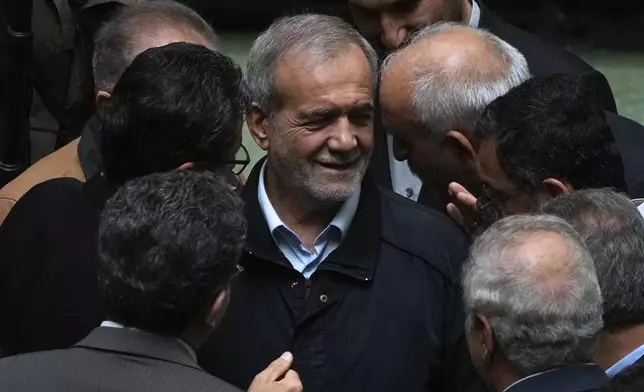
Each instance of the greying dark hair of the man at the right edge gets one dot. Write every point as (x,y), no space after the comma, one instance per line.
(613,230)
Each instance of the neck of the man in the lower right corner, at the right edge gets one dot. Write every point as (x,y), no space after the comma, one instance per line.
(612,346)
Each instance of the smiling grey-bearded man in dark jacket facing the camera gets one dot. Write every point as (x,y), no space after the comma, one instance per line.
(361,285)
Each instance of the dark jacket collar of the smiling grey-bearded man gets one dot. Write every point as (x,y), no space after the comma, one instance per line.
(359,251)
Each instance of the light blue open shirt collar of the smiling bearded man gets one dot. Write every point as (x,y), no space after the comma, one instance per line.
(303,260)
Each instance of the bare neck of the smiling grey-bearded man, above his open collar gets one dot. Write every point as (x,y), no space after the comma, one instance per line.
(303,214)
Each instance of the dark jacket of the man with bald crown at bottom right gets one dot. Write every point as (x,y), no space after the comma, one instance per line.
(574,378)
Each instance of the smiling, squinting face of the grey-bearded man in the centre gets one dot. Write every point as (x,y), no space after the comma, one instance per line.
(320,140)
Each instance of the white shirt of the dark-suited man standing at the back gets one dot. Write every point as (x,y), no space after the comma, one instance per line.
(403,181)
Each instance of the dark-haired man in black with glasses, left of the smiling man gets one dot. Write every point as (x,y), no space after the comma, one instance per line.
(178,106)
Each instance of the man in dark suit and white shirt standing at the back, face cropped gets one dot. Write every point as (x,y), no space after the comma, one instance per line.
(387,23)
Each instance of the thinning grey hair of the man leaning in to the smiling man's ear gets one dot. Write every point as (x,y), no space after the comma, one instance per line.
(446,99)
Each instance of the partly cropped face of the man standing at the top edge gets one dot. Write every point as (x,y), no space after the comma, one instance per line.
(388,22)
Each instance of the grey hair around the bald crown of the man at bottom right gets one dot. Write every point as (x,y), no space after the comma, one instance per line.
(535,325)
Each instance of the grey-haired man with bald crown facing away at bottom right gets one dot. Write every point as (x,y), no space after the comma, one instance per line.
(533,307)
